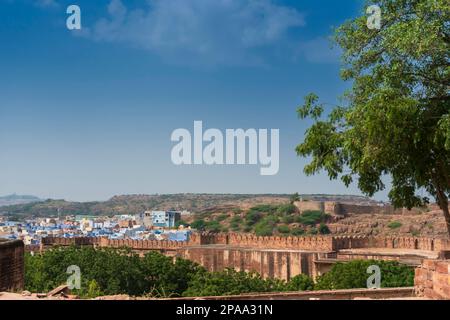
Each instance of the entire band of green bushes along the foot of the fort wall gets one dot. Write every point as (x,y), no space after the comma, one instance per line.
(110,271)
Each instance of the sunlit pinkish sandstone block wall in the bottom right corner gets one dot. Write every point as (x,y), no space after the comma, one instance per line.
(432,279)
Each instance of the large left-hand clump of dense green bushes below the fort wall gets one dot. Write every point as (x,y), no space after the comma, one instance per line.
(109,271)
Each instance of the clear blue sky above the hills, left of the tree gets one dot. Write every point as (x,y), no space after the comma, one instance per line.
(88,114)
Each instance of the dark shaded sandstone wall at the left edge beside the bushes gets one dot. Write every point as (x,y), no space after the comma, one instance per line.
(11,265)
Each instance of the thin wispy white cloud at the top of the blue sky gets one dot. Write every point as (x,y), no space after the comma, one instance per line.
(201,31)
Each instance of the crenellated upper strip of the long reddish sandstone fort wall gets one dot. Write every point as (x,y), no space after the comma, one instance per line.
(309,243)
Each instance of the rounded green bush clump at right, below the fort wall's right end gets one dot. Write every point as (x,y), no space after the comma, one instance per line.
(353,274)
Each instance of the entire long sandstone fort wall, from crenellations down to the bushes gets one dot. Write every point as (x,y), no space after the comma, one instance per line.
(277,257)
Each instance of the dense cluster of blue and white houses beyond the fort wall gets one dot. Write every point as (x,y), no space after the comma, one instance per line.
(153,225)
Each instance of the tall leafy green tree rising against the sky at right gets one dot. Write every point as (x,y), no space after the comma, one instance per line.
(395,118)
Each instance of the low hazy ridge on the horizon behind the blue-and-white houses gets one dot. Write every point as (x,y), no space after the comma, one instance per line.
(133,204)
